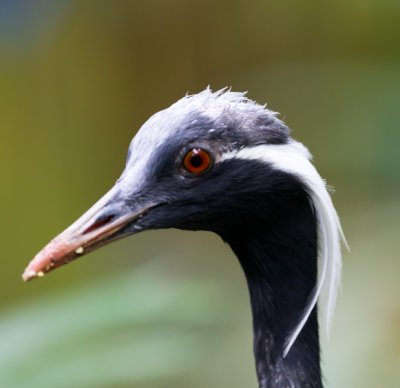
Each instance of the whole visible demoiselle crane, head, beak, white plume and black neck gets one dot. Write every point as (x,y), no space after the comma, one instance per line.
(218,161)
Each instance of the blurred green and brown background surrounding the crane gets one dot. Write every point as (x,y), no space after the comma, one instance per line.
(170,308)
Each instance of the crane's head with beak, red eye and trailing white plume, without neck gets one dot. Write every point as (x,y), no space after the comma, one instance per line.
(207,163)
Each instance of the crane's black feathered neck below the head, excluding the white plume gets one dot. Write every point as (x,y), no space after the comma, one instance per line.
(279,258)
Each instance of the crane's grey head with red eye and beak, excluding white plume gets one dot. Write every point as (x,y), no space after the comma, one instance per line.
(181,172)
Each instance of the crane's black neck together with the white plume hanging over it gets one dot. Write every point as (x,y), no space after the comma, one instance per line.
(291,257)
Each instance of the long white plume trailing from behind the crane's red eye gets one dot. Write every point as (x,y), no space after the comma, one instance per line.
(294,158)
